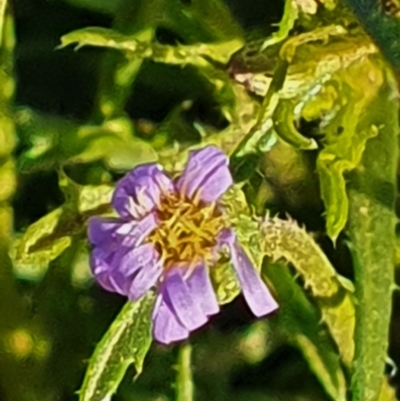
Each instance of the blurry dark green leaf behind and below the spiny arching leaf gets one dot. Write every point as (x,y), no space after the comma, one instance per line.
(299,320)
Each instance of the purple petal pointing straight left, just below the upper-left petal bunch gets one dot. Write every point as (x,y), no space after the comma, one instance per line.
(112,233)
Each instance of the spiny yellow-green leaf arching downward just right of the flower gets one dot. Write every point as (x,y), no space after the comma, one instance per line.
(285,240)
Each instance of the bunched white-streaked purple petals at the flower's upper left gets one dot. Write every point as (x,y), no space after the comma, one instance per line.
(139,191)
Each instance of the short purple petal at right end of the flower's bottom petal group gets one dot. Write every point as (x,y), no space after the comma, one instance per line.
(203,294)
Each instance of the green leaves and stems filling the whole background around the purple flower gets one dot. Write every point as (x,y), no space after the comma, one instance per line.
(312,134)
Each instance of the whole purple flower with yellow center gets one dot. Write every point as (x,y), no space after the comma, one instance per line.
(169,234)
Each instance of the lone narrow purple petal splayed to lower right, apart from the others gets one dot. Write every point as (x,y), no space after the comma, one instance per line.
(255,292)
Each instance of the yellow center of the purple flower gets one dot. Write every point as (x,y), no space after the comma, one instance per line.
(187,231)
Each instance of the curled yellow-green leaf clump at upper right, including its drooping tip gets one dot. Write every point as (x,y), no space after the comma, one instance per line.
(330,88)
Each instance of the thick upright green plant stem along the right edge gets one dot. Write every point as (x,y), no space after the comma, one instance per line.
(372,192)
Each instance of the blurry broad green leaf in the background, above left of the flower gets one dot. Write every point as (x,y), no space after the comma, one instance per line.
(53,142)
